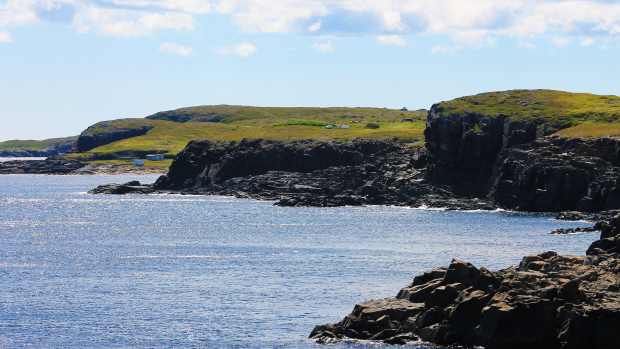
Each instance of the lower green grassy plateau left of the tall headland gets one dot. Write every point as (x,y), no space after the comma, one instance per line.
(285,124)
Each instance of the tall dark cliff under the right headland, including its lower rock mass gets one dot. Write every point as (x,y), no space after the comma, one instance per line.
(514,164)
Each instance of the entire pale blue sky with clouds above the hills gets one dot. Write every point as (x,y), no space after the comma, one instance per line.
(65,64)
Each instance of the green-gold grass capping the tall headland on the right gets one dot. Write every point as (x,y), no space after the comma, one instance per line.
(557,108)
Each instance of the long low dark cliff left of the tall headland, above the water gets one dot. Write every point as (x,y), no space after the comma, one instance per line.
(307,173)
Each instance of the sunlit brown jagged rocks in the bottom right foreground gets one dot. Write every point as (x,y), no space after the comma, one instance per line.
(548,301)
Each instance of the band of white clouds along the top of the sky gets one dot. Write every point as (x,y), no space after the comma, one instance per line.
(464,23)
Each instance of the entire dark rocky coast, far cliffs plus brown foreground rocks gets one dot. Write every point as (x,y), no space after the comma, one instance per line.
(469,162)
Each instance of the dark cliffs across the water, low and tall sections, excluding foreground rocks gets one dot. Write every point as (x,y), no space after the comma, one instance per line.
(469,162)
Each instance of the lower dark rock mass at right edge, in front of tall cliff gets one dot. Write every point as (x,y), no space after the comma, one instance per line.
(560,174)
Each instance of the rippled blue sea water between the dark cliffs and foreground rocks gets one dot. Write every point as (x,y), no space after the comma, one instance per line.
(84,271)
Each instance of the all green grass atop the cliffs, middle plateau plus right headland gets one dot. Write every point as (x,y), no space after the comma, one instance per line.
(572,114)
